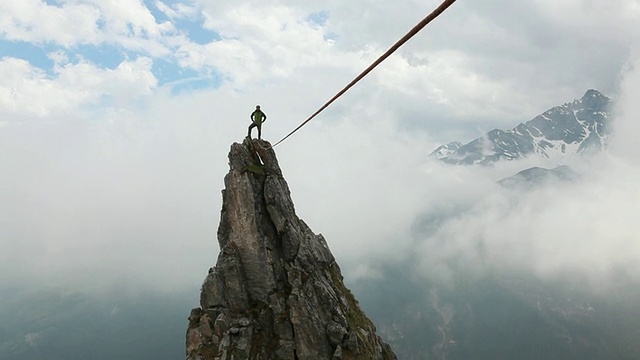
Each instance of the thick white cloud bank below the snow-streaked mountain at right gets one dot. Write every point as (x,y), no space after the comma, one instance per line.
(585,230)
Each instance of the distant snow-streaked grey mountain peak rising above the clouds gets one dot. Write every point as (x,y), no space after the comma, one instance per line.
(578,127)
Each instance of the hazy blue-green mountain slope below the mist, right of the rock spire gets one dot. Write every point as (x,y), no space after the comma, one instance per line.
(503,315)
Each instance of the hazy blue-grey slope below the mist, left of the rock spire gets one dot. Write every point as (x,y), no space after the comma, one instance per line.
(37,322)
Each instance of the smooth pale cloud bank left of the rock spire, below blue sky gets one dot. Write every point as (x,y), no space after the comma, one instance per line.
(128,196)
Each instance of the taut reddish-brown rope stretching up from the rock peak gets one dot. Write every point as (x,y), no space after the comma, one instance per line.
(434,14)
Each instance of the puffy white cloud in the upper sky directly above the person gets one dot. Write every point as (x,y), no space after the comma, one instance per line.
(260,43)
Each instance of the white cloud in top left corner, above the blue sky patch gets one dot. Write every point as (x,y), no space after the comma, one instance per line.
(123,23)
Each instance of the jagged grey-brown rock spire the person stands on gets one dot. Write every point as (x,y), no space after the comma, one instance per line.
(276,291)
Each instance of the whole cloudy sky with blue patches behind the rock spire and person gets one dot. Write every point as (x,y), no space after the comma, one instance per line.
(116,118)
